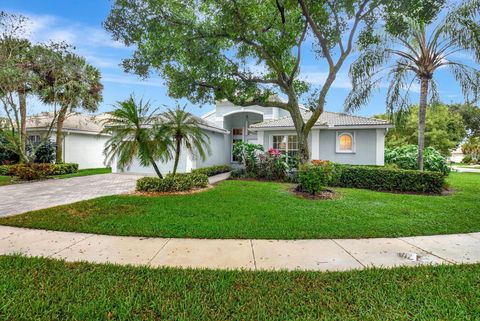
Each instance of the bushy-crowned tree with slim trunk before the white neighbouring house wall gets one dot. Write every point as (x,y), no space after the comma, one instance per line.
(72,84)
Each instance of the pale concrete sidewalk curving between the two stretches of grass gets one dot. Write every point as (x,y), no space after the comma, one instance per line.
(315,255)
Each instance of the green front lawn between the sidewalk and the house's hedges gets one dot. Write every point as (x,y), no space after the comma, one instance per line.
(248,209)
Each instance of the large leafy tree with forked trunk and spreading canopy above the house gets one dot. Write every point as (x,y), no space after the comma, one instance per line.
(203,49)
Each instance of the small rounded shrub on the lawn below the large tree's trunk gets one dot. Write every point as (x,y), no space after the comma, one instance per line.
(314,176)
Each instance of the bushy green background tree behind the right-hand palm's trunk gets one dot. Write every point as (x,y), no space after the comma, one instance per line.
(444,129)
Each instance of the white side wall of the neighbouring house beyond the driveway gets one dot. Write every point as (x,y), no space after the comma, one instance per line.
(84,149)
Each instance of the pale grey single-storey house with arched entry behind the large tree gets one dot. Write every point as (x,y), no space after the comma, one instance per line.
(336,137)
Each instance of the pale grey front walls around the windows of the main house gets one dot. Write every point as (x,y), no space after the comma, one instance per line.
(369,145)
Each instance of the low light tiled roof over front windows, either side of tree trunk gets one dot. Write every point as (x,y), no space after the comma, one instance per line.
(327,119)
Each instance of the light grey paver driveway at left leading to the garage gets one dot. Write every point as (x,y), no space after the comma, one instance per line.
(20,198)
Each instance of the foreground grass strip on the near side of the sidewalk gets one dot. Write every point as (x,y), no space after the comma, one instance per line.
(43,289)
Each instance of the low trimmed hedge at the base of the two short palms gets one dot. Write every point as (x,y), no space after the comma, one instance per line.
(172,183)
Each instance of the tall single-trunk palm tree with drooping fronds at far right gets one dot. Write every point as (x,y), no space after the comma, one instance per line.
(411,56)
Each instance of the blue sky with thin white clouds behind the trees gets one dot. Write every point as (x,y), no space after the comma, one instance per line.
(79,22)
